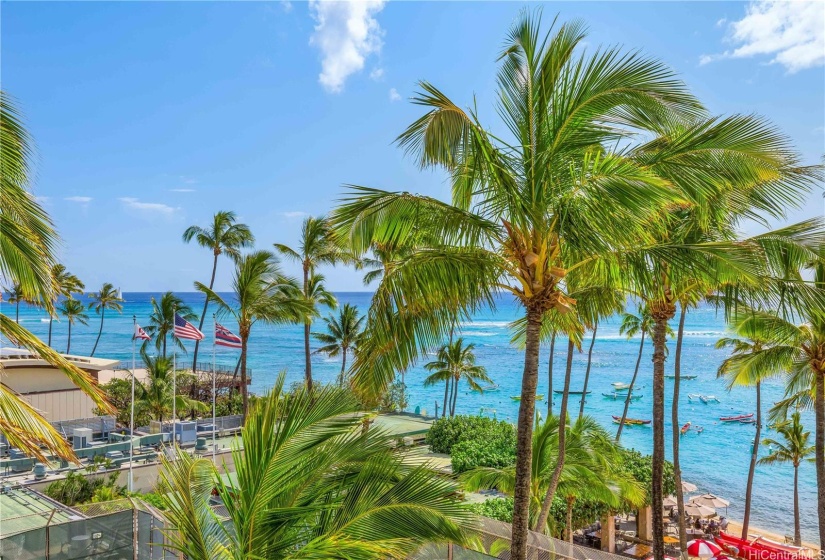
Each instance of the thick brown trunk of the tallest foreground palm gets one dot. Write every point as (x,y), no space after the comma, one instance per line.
(524,438)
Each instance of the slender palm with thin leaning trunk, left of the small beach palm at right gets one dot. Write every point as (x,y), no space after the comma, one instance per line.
(749,326)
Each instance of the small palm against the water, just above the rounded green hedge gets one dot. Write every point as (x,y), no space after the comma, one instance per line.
(455,362)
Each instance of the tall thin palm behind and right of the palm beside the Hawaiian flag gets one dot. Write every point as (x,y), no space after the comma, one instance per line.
(315,248)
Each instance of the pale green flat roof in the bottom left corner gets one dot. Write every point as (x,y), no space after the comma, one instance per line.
(23,509)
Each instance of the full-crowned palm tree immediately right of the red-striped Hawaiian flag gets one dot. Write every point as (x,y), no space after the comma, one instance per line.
(262,293)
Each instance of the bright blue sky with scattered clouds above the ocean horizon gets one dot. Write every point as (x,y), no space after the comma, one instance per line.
(149,117)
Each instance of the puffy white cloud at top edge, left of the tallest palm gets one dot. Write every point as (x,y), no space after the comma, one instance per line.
(346,33)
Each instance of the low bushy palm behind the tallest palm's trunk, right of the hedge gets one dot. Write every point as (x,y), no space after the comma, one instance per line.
(591,469)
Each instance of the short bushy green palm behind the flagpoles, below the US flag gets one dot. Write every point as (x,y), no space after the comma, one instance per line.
(154,395)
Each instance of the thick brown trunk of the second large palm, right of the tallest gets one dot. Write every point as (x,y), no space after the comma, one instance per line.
(662,312)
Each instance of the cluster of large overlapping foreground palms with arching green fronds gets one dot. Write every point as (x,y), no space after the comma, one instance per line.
(610,176)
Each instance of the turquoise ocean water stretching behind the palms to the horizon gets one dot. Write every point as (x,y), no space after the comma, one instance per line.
(716,460)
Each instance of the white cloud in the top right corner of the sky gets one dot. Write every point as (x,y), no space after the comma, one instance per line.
(792,33)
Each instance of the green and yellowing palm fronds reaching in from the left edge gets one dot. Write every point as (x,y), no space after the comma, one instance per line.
(27,244)
